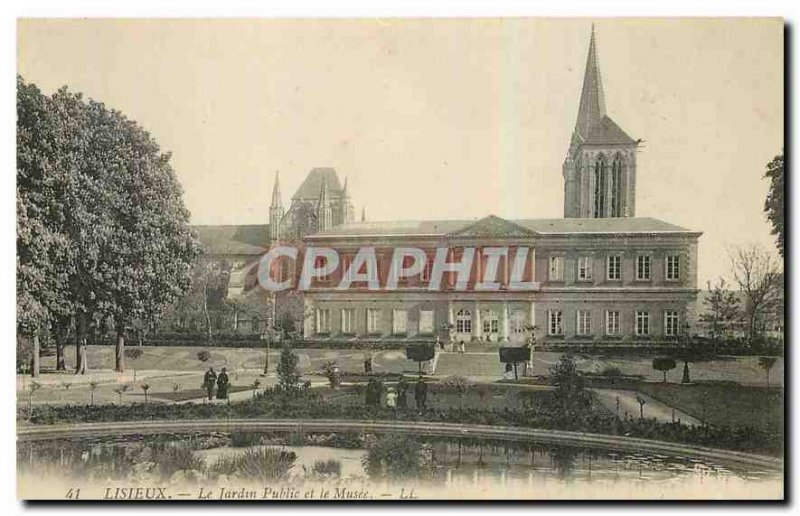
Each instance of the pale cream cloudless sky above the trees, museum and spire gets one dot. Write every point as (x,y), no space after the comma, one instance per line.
(438,118)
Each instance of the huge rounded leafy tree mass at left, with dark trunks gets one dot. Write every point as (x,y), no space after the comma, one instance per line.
(124,238)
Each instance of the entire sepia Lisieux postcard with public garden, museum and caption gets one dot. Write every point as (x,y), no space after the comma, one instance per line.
(400,259)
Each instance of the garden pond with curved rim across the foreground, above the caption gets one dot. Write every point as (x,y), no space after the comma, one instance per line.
(422,467)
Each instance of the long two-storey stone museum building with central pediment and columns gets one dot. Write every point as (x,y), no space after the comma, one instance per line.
(602,280)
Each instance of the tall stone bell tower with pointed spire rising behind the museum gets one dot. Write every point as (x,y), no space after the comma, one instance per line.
(600,167)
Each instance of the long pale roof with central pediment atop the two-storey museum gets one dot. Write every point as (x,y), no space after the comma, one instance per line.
(503,227)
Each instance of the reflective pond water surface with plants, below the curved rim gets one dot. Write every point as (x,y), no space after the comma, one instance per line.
(451,462)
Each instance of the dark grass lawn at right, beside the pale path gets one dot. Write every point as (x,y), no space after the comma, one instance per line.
(723,404)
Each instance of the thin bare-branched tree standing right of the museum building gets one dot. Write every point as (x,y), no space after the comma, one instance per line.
(759,276)
